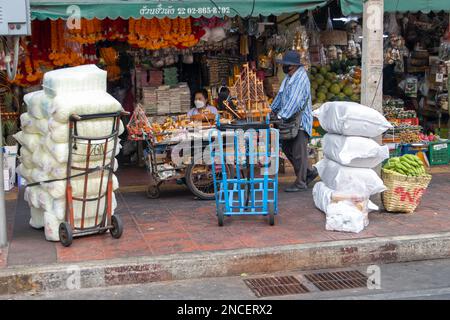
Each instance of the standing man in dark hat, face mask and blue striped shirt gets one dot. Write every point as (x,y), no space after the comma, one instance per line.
(294,100)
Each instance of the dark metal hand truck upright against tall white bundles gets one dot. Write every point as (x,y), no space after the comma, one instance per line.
(88,147)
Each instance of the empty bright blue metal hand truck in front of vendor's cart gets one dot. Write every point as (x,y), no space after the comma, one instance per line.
(252,150)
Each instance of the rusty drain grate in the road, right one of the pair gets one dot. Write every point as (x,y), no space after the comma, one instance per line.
(338,280)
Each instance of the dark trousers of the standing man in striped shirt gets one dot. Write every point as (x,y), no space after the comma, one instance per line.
(296,150)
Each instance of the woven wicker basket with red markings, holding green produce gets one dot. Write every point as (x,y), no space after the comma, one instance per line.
(403,193)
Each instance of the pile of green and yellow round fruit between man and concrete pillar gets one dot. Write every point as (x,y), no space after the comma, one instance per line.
(329,85)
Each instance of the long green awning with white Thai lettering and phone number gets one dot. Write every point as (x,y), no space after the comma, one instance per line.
(54,9)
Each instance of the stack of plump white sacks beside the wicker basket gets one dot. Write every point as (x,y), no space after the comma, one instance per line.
(350,154)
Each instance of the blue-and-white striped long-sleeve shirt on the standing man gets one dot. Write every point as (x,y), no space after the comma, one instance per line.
(295,90)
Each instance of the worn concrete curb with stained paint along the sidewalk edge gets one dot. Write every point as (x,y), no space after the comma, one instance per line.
(323,255)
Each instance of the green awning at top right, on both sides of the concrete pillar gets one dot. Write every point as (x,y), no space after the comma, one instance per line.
(356,6)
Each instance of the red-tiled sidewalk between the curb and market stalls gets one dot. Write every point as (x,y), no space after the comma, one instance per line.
(178,224)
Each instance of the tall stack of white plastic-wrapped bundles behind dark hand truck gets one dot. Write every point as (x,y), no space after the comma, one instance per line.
(44,141)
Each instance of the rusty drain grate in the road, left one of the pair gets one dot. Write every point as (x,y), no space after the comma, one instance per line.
(275,286)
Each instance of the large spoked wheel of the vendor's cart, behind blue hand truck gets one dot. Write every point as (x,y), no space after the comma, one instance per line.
(200,181)
